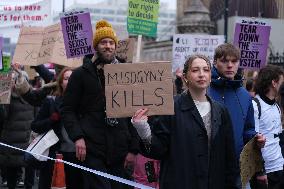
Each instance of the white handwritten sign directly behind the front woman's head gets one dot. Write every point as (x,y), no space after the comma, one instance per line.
(185,45)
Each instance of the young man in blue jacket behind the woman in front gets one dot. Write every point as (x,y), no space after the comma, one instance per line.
(226,88)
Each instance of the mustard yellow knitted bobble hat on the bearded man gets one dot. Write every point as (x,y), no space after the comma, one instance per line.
(104,30)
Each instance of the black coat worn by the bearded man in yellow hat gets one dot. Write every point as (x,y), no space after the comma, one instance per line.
(84,117)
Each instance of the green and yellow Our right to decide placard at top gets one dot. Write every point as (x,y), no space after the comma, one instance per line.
(142,17)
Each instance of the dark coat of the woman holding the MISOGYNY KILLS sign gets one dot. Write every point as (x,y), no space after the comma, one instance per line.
(181,143)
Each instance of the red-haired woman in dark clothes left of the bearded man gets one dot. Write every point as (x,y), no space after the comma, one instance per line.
(49,118)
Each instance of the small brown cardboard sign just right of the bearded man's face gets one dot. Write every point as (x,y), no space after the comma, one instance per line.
(125,49)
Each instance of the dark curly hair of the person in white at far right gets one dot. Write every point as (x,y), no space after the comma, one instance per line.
(265,77)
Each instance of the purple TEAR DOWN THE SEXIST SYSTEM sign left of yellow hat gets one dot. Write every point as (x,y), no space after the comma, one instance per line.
(77,34)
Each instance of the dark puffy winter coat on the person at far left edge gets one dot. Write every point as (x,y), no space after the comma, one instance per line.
(17,117)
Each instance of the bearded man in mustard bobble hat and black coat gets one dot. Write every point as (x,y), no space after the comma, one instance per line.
(103,144)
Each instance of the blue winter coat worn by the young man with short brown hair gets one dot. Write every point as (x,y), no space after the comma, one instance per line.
(238,101)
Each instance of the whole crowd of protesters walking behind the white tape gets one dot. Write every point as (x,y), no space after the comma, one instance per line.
(196,148)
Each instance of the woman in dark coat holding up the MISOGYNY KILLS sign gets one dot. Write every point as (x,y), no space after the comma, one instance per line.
(196,144)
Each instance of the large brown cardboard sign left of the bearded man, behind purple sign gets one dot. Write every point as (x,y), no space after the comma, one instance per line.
(39,45)
